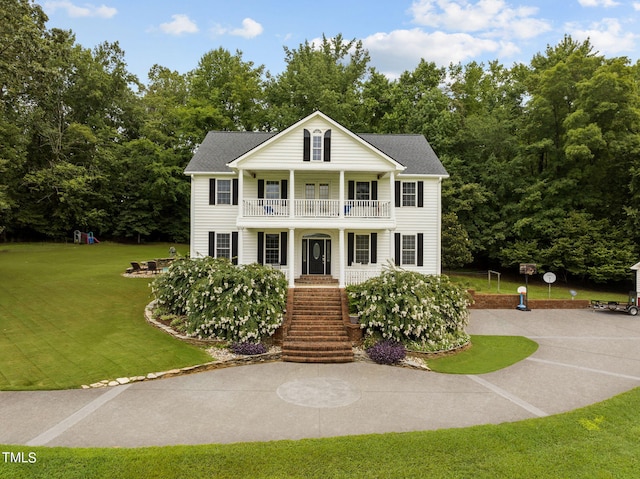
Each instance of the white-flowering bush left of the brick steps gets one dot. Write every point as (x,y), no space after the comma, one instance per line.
(222,301)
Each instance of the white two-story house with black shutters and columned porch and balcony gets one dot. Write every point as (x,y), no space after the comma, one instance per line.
(317,199)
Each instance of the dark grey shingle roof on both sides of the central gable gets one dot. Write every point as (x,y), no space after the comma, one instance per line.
(222,147)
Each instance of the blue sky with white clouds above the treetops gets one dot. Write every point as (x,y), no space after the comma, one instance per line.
(397,34)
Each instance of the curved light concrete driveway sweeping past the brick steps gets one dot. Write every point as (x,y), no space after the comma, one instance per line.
(584,357)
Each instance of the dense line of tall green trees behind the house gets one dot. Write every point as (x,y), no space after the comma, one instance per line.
(544,158)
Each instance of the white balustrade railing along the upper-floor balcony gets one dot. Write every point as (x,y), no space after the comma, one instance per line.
(305,209)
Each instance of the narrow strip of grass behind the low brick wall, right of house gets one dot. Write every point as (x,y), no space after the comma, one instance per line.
(538,289)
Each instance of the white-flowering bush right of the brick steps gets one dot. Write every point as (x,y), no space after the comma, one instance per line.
(426,313)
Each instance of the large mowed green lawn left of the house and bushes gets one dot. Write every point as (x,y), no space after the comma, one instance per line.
(68,317)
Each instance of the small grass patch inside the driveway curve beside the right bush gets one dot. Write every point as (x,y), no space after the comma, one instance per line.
(487,354)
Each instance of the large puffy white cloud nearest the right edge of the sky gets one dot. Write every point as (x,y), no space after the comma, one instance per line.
(607,36)
